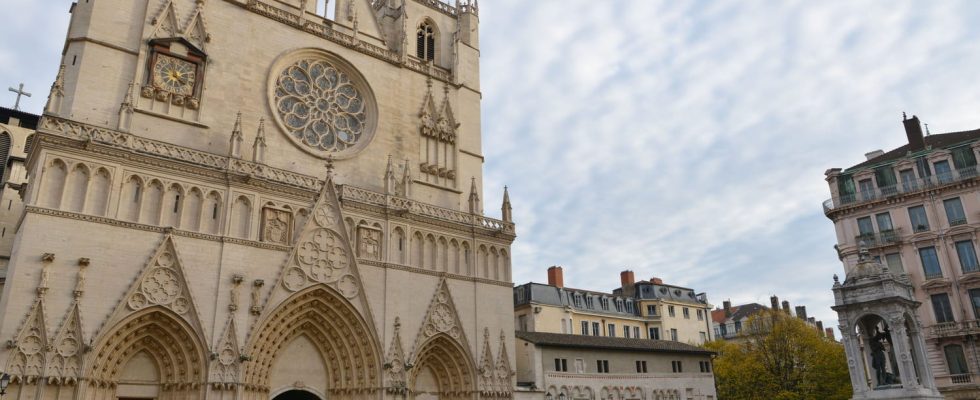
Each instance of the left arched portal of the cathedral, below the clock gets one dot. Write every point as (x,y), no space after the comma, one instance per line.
(152,353)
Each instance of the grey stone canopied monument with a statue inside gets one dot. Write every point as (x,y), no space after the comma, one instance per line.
(881,334)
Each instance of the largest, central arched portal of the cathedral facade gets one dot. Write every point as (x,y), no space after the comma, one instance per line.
(317,319)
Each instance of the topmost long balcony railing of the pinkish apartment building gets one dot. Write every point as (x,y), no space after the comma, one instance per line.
(904,187)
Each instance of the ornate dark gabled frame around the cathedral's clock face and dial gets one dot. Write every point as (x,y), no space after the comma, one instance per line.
(161,50)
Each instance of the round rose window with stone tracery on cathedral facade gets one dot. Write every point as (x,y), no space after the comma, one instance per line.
(320,106)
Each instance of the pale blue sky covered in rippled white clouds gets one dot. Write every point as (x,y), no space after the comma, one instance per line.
(685,140)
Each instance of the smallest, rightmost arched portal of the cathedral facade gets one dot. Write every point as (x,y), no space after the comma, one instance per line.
(442,370)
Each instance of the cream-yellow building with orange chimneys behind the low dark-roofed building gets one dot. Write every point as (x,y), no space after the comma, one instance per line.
(635,310)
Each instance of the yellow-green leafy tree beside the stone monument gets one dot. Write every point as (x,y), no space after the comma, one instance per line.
(782,358)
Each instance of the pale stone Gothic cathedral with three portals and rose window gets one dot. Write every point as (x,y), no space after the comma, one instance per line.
(260,199)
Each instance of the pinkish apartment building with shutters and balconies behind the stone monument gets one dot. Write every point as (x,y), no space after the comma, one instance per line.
(916,209)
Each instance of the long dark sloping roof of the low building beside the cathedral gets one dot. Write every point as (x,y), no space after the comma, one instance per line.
(600,342)
